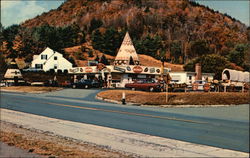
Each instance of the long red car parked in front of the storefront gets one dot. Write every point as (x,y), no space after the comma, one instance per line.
(145,84)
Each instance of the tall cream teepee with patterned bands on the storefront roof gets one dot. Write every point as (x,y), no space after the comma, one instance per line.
(126,52)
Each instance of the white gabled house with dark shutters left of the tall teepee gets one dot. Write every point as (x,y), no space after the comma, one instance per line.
(50,59)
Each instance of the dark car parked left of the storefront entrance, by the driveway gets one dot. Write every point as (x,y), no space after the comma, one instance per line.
(86,84)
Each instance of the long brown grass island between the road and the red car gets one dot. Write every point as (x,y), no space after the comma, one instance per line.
(191,98)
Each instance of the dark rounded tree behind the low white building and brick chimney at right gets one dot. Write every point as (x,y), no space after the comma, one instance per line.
(211,63)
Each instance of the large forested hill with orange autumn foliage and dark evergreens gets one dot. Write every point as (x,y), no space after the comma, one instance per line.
(178,29)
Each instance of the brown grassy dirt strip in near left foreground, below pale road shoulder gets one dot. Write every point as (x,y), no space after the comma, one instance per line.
(44,144)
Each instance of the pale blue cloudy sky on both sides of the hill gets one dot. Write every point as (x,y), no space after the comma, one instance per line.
(17,11)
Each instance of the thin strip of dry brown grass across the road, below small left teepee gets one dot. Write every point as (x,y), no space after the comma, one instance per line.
(30,89)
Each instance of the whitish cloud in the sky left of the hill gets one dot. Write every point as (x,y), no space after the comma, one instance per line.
(15,12)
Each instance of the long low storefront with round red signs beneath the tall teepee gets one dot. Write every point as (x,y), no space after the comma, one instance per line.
(117,76)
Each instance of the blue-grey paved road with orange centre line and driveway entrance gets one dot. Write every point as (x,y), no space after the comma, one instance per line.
(225,127)
